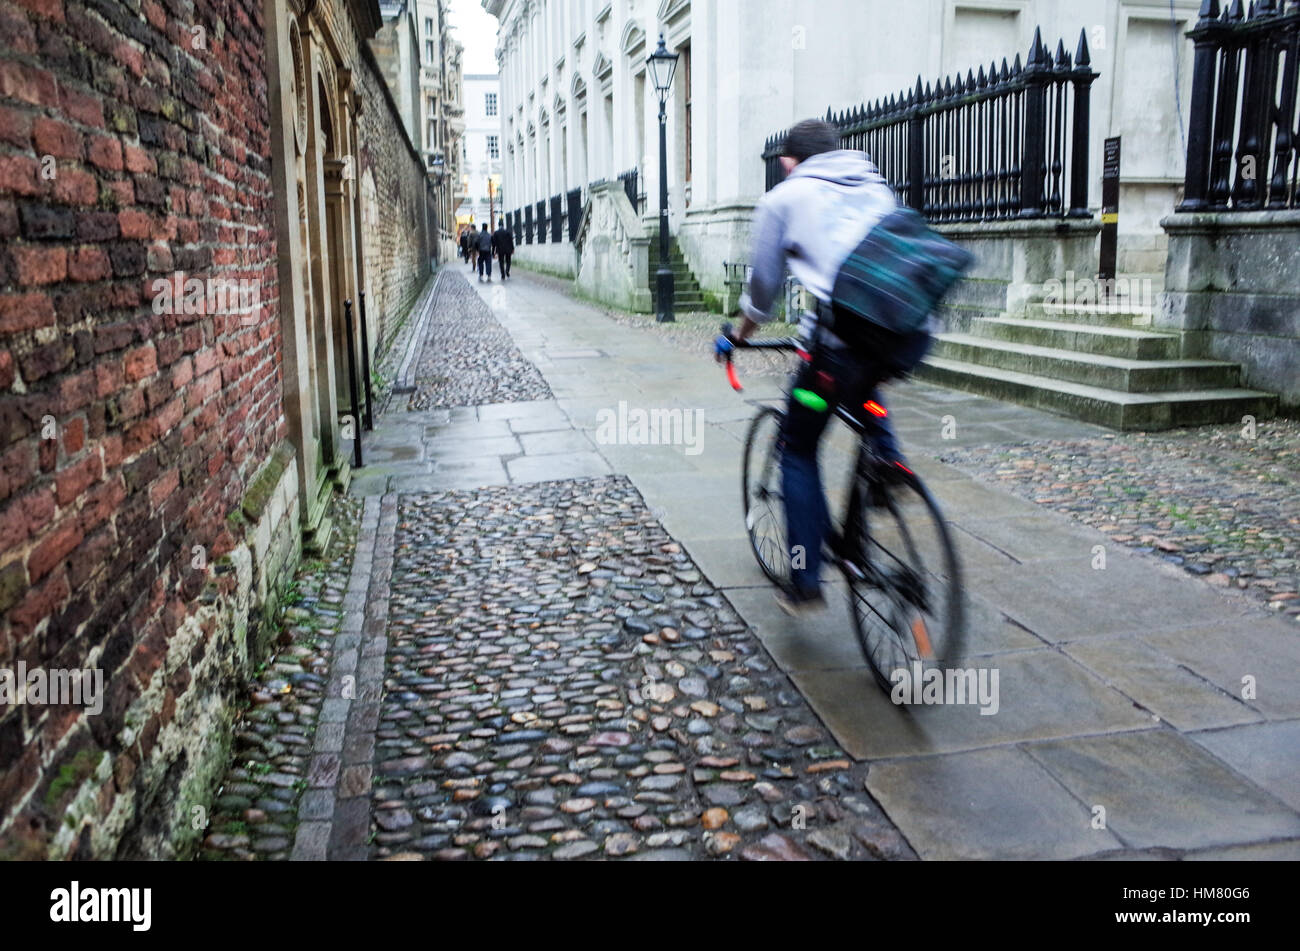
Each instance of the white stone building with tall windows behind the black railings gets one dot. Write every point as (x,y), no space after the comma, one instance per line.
(578,107)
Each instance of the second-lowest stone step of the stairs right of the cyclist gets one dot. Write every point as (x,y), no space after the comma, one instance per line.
(1111,374)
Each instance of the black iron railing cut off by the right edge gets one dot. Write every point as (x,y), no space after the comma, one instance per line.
(1242,134)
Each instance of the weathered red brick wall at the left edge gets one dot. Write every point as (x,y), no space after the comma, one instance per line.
(161,153)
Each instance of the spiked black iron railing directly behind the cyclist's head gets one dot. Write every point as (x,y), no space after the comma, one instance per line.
(1000,144)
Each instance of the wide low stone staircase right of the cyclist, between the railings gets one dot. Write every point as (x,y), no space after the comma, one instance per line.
(1103,364)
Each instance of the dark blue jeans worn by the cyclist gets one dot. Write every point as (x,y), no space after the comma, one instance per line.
(837,376)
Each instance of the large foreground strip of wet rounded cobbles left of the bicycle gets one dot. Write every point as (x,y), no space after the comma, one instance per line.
(562,683)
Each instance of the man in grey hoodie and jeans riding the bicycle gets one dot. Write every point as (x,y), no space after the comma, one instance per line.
(812,222)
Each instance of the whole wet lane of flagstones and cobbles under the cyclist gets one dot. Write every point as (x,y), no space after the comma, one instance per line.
(547,645)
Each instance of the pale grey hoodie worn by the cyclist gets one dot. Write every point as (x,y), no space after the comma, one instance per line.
(812,222)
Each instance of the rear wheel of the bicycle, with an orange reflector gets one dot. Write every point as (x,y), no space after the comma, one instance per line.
(905,584)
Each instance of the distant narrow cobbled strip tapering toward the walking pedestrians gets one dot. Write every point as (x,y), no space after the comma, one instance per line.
(469,359)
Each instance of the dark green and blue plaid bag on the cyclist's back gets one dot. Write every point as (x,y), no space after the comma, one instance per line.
(892,283)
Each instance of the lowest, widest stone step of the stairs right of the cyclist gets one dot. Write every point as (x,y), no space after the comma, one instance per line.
(1121,411)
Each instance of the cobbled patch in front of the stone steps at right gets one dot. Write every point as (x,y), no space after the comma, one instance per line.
(1221,506)
